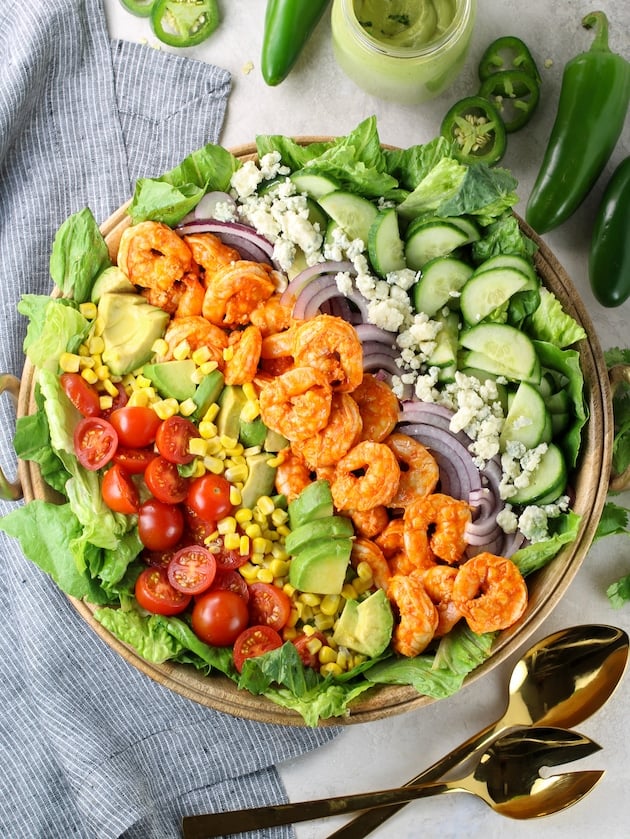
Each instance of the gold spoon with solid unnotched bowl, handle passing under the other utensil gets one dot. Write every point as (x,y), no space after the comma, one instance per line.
(560,681)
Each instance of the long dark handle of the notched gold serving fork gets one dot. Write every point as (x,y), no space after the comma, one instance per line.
(240,821)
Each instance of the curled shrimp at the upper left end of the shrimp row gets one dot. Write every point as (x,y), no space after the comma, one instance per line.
(154,256)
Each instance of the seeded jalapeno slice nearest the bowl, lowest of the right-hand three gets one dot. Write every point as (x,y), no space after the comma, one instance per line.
(475,128)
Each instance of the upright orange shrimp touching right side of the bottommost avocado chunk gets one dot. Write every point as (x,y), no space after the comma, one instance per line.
(418,617)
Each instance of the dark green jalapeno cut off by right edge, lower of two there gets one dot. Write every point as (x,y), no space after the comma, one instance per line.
(609,255)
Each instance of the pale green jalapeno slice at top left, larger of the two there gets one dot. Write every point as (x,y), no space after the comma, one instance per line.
(184,23)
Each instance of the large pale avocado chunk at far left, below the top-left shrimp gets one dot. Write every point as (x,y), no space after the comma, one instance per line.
(130,328)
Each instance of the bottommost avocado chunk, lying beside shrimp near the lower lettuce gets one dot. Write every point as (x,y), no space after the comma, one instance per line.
(366,626)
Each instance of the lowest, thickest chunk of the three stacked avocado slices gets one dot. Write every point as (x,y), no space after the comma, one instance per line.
(321,568)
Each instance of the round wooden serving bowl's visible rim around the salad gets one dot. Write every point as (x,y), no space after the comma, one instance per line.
(546,587)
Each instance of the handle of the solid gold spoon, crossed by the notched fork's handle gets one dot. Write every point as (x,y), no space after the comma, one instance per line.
(366,822)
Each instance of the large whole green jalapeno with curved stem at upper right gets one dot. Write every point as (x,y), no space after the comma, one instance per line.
(594,99)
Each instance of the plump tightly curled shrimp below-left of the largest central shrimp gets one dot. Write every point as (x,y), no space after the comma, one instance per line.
(297,403)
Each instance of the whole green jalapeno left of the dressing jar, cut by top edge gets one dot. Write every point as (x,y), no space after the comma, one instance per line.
(288,26)
